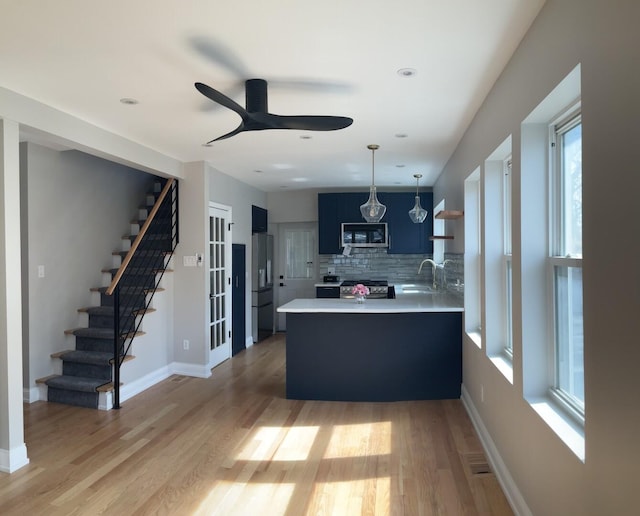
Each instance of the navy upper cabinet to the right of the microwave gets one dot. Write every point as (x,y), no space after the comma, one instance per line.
(405,236)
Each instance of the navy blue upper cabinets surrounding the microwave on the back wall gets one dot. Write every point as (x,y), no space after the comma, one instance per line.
(405,236)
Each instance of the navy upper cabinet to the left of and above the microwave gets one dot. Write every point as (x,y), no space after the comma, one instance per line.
(333,210)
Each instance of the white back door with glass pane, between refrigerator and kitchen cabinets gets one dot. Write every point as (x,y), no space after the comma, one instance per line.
(297,263)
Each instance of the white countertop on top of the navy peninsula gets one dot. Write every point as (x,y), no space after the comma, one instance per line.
(440,302)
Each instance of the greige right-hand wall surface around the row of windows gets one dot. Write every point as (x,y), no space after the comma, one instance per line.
(602,37)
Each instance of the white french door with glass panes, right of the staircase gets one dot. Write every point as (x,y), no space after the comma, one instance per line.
(219,284)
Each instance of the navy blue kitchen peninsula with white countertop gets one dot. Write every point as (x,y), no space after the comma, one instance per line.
(408,348)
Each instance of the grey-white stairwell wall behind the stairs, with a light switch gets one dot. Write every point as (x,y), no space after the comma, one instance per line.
(75,209)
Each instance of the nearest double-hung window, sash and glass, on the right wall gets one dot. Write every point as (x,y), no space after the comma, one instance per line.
(565,263)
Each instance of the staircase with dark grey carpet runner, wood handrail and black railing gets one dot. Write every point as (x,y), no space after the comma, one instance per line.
(93,369)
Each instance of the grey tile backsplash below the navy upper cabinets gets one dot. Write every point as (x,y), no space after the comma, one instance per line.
(376,263)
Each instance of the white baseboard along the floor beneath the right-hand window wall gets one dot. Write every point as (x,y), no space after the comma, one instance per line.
(511,491)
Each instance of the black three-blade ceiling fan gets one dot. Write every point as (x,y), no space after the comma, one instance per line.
(256,117)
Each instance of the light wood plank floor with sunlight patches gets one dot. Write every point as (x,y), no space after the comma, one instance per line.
(232,444)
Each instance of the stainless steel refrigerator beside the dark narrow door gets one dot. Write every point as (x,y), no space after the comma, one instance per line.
(262,316)
